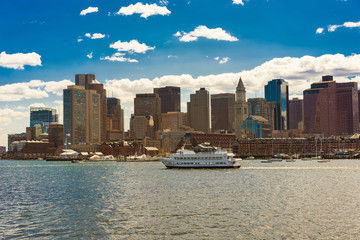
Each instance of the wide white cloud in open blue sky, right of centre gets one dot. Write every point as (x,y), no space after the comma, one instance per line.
(203,31)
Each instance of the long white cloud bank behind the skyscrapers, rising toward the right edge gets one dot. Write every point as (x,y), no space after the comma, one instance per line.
(299,72)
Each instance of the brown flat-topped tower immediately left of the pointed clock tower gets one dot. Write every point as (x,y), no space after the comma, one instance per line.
(222,112)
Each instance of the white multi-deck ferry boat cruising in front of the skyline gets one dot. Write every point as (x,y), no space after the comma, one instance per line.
(202,156)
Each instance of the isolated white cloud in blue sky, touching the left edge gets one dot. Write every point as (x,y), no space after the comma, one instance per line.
(19,60)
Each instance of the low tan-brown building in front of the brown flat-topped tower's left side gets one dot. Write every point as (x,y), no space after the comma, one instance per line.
(142,127)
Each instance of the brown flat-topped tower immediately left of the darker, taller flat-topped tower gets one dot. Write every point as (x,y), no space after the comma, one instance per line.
(149,104)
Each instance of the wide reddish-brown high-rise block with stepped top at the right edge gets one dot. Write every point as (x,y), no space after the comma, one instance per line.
(331,108)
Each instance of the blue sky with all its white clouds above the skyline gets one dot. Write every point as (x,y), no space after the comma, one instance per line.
(134,46)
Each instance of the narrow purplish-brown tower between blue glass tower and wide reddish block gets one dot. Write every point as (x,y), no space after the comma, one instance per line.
(296,113)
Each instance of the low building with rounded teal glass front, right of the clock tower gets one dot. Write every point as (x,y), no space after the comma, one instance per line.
(256,127)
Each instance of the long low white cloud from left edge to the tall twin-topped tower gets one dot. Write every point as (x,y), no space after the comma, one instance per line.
(34,89)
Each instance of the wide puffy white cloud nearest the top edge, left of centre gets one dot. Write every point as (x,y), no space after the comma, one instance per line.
(146,10)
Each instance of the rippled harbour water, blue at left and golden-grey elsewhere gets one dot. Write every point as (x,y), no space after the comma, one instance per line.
(300,200)
